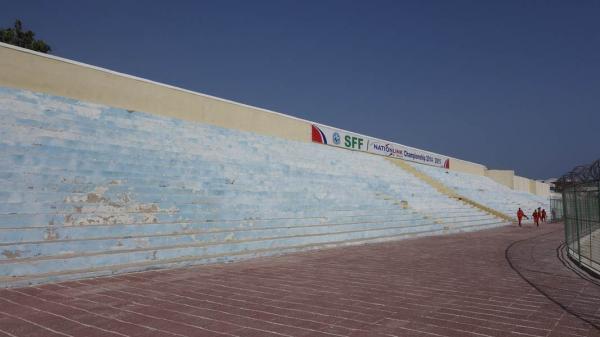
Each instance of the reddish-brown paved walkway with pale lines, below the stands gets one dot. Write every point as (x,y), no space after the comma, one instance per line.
(459,285)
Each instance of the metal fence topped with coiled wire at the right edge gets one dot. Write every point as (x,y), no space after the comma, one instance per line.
(581,208)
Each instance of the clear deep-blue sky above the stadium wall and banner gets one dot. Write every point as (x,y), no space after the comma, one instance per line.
(509,84)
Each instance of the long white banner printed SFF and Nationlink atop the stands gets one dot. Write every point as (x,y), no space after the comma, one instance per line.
(340,138)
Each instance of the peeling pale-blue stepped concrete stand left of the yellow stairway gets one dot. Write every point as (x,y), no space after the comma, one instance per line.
(89,190)
